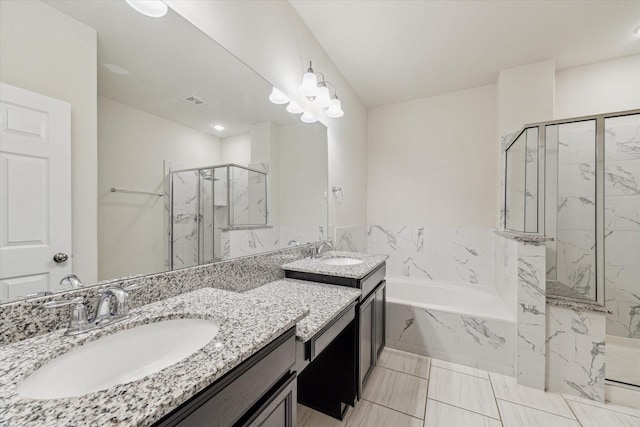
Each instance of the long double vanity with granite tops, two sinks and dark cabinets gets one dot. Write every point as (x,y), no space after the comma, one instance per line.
(220,356)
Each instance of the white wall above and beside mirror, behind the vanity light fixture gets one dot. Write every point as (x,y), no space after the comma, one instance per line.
(271,38)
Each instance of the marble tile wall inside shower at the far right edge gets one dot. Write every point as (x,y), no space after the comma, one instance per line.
(622,225)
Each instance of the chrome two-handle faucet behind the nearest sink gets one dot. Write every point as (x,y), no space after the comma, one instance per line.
(112,307)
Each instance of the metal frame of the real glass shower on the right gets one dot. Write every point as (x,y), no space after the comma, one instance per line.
(599,184)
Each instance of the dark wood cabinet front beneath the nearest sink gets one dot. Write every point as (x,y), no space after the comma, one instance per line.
(261,391)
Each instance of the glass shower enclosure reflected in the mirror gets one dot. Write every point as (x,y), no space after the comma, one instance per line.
(208,201)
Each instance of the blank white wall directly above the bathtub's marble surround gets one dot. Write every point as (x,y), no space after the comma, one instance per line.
(433,161)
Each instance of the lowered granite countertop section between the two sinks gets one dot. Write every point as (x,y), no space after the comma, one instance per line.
(324,301)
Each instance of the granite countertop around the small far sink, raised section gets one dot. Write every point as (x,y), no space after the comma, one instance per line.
(358,271)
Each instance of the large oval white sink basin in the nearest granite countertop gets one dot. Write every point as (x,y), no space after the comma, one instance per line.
(119,358)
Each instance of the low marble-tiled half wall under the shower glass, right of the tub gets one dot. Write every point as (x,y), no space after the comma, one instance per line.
(575,342)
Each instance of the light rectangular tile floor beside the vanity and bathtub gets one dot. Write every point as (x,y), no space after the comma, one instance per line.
(416,391)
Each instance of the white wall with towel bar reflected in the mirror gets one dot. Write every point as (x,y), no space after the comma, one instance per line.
(132,148)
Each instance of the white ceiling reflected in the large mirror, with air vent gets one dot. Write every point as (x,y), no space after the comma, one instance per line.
(169,59)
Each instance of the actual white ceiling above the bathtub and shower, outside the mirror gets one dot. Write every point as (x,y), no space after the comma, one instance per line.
(393,51)
